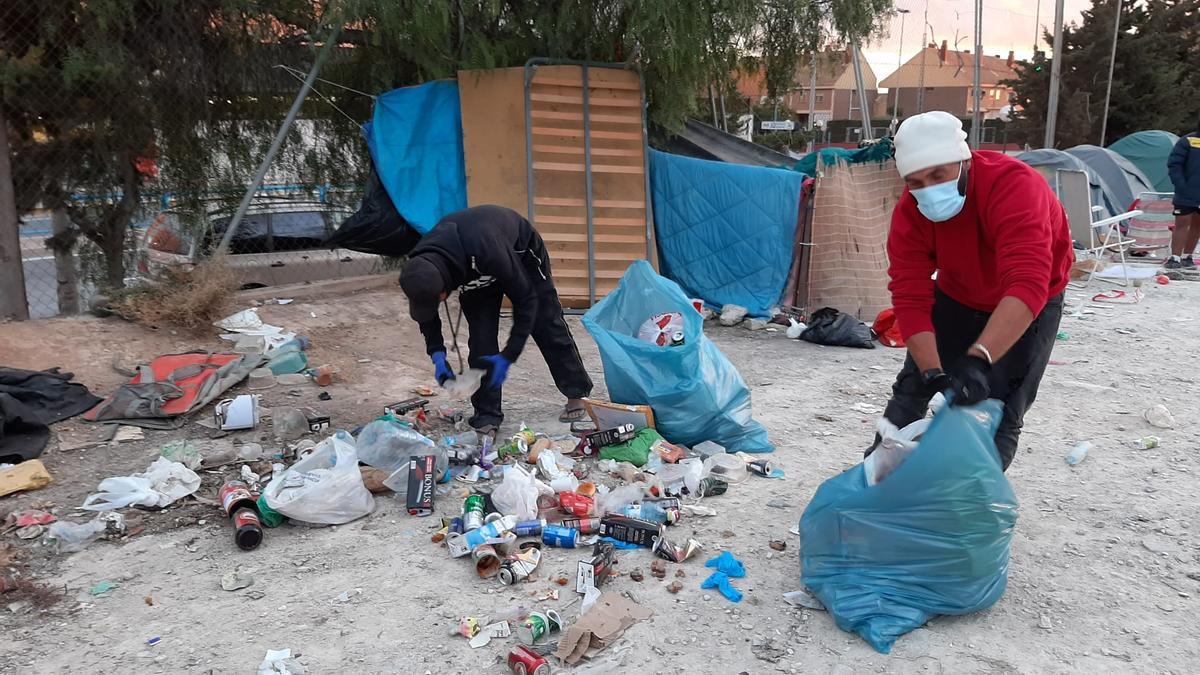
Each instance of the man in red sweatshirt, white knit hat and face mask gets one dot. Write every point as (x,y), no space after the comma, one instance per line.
(998,238)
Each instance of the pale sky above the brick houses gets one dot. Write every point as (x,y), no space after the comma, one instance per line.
(1007,25)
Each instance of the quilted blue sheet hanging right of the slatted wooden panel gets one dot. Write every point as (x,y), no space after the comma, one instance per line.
(725,231)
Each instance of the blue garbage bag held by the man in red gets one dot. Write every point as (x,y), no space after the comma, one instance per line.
(931,539)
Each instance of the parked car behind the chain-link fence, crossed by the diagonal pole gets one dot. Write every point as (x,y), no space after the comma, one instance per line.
(278,242)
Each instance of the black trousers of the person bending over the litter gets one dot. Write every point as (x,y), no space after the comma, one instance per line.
(482,308)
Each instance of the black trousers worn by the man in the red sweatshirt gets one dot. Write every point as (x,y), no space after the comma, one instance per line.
(1015,378)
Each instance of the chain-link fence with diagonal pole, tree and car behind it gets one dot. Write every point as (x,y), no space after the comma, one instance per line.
(134,130)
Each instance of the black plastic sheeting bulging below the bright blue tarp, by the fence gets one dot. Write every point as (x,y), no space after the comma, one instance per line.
(377,228)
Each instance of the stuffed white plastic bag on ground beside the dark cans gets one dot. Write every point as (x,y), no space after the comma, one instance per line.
(325,488)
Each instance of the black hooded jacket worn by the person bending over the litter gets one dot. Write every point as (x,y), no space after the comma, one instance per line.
(484,246)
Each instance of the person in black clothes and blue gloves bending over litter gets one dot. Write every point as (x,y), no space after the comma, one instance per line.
(488,253)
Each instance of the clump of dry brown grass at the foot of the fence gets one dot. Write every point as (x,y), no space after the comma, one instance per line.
(178,298)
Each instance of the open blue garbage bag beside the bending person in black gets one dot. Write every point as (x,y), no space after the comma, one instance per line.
(697,393)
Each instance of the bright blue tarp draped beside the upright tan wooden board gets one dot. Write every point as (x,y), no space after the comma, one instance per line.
(416,140)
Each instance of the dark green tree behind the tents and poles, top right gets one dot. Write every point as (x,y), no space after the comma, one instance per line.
(1157,64)
